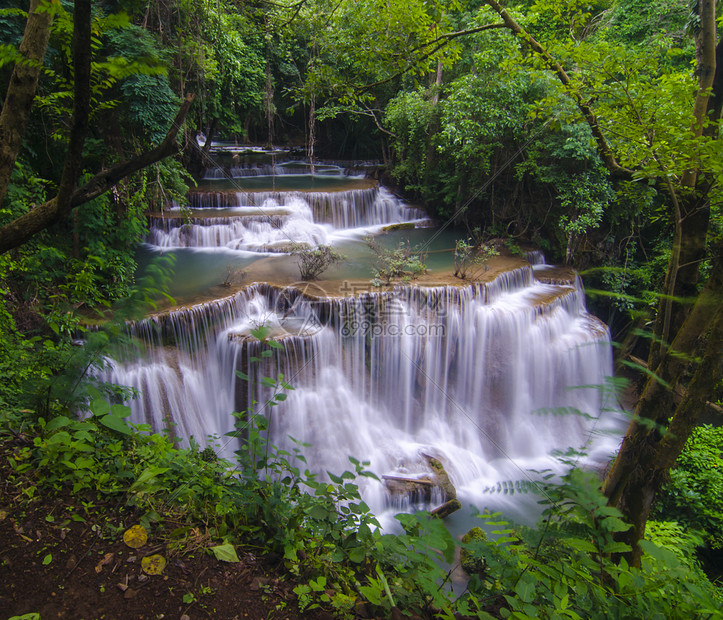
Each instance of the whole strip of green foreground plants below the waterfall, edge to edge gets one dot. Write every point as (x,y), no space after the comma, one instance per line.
(332,544)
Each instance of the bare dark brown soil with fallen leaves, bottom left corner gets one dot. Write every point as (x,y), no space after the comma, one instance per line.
(54,564)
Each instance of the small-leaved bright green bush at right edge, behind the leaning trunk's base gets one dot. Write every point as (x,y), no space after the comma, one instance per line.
(694,494)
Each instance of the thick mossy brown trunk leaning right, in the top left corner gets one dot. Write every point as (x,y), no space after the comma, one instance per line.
(21,89)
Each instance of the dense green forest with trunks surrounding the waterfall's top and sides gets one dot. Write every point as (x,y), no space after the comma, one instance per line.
(587,129)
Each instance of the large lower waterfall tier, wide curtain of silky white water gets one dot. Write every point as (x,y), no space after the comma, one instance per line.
(475,376)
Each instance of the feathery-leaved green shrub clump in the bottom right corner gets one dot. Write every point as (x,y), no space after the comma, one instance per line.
(564,569)
